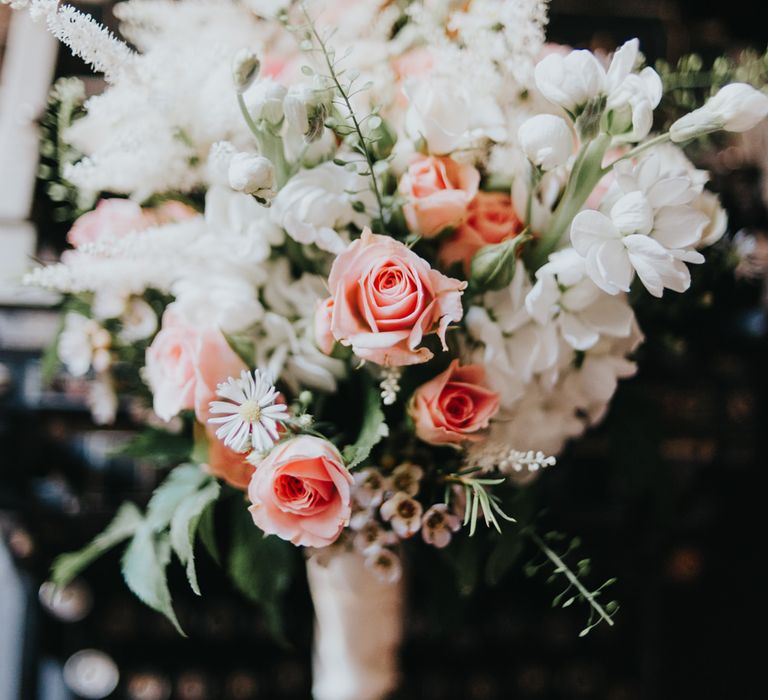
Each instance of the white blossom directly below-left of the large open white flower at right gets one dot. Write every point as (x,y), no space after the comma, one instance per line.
(582,312)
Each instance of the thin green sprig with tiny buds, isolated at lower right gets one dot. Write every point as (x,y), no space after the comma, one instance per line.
(575,590)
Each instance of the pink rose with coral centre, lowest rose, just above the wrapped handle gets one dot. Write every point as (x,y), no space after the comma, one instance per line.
(301,492)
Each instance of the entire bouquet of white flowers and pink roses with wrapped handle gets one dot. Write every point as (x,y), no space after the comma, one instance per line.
(363,269)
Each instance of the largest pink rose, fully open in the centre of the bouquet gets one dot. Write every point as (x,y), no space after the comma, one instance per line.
(386,299)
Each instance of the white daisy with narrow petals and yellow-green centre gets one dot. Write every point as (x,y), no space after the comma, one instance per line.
(250,415)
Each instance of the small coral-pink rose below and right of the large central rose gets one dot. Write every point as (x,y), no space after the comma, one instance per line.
(454,406)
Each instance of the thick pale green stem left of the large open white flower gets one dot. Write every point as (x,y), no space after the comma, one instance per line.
(586,173)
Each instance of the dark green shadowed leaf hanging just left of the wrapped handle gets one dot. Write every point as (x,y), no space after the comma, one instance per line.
(261,567)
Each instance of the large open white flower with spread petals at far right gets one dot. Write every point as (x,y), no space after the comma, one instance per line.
(650,230)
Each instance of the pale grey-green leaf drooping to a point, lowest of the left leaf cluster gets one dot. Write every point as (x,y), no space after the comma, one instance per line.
(144,564)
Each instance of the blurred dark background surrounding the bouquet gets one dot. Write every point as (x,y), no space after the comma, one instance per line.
(667,495)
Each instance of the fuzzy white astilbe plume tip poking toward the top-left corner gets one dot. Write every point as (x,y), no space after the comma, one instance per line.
(85,37)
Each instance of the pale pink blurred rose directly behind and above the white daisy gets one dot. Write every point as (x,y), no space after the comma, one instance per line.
(185,364)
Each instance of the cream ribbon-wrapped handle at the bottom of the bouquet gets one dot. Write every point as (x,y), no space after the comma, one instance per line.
(358,629)
